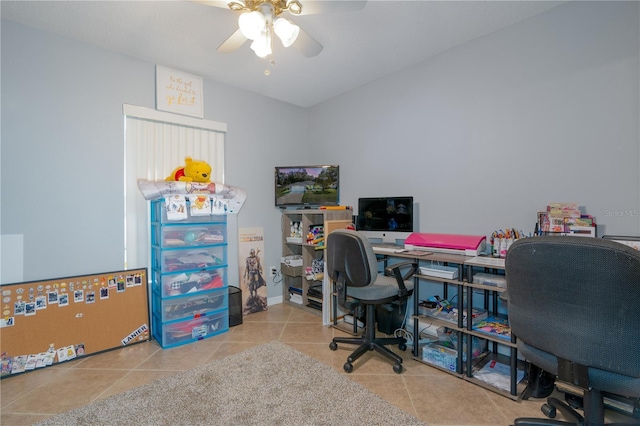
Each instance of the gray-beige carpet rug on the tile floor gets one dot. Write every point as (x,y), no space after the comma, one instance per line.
(270,384)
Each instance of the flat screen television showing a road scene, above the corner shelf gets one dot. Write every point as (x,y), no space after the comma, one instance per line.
(307,186)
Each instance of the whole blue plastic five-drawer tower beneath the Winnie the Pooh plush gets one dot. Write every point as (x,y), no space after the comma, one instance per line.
(189,270)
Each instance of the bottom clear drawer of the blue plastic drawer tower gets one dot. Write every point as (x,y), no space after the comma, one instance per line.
(190,330)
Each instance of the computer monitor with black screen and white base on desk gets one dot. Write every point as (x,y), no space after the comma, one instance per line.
(386,218)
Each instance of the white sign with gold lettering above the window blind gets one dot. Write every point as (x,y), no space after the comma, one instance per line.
(179,92)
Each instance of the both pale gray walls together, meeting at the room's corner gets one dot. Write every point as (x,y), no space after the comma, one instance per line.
(482,136)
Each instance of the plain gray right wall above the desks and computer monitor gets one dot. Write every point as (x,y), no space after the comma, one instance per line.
(486,134)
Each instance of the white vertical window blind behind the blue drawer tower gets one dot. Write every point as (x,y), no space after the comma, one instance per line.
(156,143)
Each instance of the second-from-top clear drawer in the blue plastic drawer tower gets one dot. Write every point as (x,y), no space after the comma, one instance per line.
(188,259)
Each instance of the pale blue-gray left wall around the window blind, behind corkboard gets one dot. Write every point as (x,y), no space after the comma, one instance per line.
(63,149)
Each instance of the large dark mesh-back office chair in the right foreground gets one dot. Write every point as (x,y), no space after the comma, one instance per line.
(574,306)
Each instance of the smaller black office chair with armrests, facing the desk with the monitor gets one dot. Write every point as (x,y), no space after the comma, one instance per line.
(353,267)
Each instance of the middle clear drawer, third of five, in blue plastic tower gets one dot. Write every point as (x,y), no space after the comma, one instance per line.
(189,283)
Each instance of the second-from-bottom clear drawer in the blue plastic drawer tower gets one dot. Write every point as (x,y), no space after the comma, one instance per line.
(188,306)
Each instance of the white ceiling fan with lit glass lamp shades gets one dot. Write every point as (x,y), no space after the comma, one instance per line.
(260,20)
